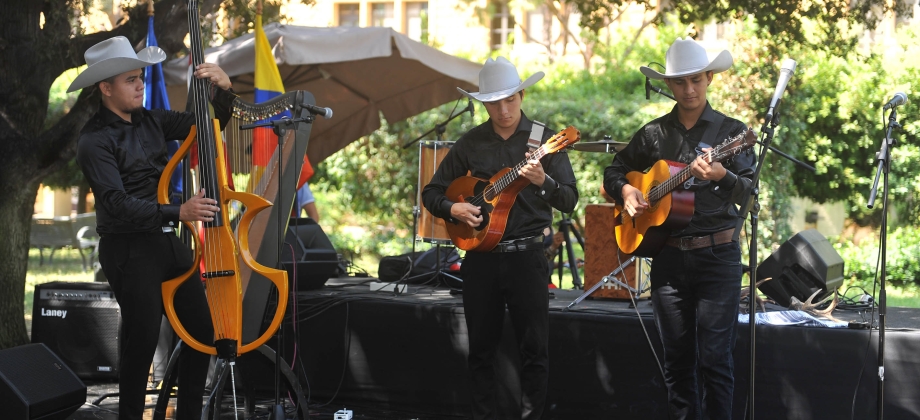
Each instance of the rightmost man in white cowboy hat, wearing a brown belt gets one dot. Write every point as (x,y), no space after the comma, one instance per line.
(696,277)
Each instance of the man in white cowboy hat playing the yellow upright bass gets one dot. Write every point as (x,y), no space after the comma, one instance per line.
(122,152)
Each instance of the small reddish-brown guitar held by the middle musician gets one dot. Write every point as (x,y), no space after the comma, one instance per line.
(495,197)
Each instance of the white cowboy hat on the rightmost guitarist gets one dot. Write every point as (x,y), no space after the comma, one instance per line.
(686,57)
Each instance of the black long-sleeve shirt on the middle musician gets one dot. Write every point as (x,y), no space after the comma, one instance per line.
(483,153)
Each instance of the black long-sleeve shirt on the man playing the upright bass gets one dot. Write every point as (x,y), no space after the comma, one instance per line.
(123,162)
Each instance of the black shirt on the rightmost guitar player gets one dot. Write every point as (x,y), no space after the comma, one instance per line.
(666,138)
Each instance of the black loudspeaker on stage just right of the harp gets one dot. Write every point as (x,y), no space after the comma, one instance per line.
(314,259)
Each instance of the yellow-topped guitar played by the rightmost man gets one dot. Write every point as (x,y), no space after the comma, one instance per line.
(668,209)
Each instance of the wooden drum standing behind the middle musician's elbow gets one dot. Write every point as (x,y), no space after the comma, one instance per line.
(431,153)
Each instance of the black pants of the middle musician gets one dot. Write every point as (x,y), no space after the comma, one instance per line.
(490,282)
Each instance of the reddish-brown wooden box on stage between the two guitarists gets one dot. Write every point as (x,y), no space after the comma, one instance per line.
(603,256)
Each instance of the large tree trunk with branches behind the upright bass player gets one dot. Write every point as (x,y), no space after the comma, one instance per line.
(32,56)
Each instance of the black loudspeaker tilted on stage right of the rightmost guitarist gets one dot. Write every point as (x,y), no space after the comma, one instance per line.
(803,265)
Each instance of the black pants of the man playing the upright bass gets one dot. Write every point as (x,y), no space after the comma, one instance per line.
(136,266)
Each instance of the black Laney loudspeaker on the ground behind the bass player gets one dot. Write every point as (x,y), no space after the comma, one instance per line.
(80,322)
